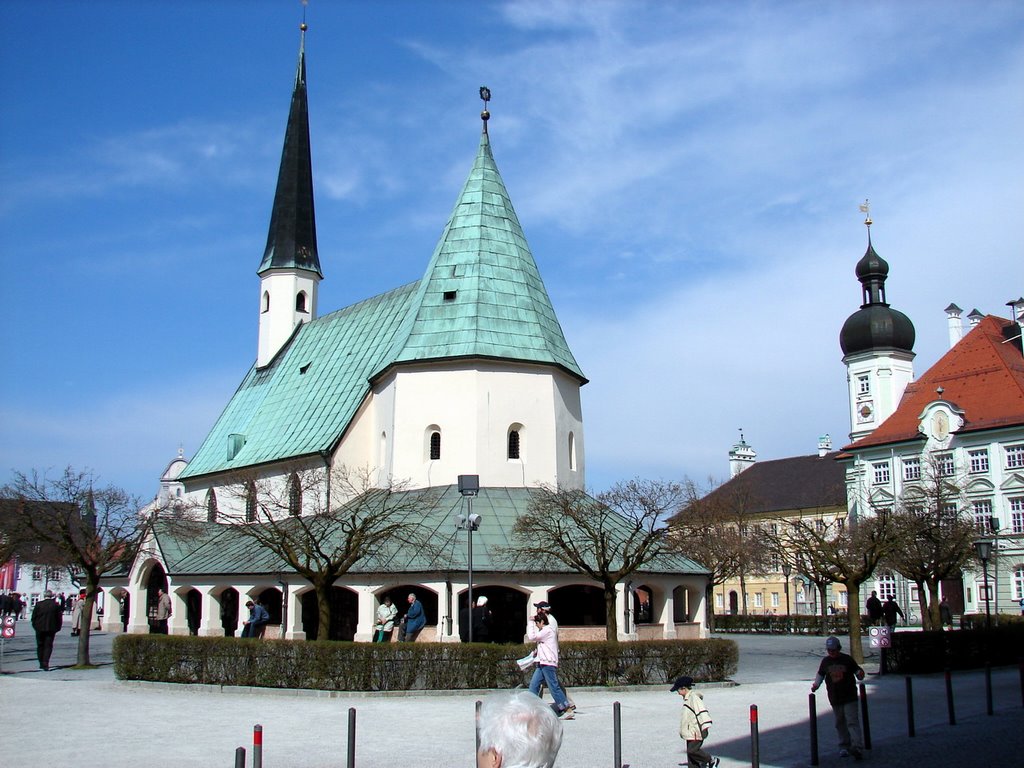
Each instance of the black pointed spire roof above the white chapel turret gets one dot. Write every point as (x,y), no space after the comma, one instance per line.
(292,240)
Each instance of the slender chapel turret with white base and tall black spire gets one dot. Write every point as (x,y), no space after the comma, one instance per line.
(290,273)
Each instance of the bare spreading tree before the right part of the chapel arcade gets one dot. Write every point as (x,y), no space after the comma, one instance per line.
(608,538)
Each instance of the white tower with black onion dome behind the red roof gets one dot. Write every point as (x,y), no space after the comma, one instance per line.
(878,348)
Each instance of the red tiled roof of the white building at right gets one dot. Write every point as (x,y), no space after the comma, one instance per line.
(984,375)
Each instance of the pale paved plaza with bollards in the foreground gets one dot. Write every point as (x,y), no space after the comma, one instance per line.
(87,718)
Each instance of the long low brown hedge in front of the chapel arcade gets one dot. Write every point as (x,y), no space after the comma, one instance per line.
(380,667)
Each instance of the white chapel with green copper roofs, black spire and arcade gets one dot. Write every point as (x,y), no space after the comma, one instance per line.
(463,372)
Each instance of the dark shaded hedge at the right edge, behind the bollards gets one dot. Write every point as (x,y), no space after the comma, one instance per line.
(919,653)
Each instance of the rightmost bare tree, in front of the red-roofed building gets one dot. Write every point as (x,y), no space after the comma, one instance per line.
(935,538)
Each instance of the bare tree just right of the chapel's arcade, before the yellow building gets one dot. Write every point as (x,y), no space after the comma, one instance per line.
(713,528)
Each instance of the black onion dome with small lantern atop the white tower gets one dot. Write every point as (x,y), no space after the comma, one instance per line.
(876,325)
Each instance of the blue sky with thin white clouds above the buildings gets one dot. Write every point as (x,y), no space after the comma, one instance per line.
(689,177)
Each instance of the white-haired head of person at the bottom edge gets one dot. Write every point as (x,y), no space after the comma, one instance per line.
(519,731)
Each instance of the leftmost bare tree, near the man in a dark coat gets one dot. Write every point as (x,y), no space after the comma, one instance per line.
(97,531)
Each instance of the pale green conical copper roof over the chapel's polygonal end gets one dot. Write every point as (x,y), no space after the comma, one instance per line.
(483,295)
